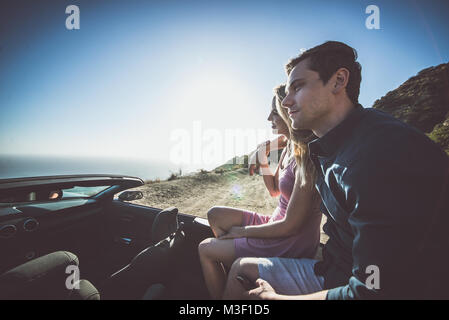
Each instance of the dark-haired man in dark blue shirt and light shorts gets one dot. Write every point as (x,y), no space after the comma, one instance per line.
(384,191)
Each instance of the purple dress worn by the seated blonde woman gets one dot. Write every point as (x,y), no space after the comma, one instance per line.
(301,245)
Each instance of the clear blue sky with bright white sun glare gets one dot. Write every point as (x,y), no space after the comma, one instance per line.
(137,71)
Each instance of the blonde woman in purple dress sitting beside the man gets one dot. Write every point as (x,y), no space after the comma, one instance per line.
(292,231)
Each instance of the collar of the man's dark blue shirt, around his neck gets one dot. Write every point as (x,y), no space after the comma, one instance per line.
(328,144)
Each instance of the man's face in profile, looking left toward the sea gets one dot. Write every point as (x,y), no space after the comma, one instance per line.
(307,100)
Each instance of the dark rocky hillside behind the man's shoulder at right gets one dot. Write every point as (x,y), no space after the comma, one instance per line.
(423,101)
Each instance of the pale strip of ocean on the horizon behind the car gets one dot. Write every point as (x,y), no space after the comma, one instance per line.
(15,166)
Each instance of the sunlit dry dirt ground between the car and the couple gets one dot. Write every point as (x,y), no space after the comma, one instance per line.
(195,194)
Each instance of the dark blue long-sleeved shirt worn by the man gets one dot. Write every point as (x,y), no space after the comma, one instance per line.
(384,190)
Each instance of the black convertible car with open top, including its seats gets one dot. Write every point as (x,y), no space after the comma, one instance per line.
(121,250)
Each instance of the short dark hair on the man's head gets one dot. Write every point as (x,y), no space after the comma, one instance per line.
(327,58)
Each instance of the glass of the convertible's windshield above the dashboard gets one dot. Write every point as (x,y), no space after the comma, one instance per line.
(53,194)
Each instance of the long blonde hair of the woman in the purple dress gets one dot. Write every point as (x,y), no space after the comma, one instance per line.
(299,140)
